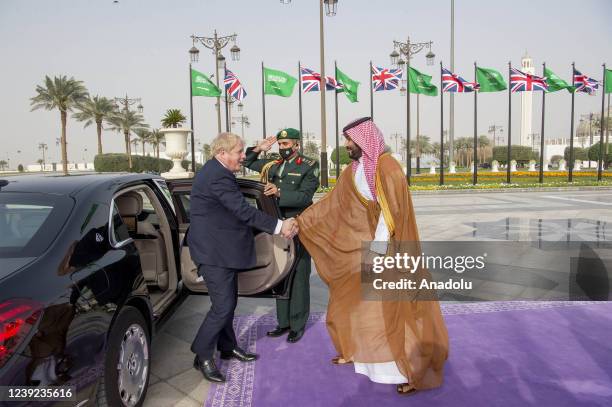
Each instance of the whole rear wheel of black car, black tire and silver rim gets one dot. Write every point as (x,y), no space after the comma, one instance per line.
(127,363)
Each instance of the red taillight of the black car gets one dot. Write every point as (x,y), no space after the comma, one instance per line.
(17,318)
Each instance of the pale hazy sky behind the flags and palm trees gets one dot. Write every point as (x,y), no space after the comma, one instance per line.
(140,48)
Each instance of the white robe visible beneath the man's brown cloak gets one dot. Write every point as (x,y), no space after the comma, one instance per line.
(387,372)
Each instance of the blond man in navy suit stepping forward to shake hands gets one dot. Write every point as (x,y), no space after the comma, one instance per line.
(221,243)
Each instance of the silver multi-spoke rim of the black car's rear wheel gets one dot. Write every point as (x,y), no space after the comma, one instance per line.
(133,365)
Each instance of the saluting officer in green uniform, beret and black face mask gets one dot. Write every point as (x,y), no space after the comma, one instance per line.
(293,180)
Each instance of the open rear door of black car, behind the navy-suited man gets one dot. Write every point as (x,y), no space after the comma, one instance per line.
(276,256)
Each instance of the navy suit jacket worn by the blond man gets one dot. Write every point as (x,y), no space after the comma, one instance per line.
(221,219)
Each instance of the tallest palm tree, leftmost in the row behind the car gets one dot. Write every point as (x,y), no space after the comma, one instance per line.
(64,94)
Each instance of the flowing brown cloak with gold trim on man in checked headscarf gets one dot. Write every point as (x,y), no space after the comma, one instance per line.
(410,332)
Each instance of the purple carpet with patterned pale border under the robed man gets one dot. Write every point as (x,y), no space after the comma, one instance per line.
(501,354)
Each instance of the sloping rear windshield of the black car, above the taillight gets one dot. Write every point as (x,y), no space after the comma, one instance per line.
(30,222)
